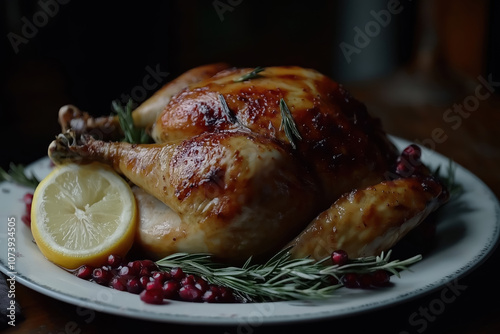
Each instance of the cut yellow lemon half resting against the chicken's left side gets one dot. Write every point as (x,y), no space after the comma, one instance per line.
(81,214)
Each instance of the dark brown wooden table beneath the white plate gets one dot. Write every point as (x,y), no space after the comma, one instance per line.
(474,144)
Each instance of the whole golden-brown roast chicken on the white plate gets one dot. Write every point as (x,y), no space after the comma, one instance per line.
(228,176)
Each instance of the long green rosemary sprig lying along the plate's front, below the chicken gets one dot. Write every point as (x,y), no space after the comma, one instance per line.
(281,278)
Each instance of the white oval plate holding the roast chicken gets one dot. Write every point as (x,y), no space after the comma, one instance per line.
(467,233)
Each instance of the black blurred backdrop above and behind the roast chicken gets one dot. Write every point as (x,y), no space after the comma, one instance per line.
(89,53)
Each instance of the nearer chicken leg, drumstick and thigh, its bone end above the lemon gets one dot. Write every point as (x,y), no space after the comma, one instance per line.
(237,194)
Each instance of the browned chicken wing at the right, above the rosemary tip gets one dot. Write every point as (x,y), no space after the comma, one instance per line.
(368,221)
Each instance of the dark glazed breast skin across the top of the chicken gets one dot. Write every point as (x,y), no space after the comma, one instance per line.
(341,143)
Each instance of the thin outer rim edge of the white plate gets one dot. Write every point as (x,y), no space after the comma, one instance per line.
(480,257)
